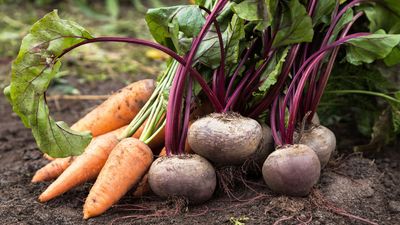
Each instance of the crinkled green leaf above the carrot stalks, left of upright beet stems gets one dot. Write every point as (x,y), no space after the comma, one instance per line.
(168,24)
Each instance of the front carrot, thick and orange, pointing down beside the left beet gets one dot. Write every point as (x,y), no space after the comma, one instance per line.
(127,163)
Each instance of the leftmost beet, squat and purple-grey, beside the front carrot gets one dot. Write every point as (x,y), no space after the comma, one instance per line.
(190,176)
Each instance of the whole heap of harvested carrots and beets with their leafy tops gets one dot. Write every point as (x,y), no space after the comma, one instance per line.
(240,91)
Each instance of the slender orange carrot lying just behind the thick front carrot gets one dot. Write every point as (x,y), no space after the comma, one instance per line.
(85,167)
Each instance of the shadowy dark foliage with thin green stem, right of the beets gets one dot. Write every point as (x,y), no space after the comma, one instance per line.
(361,96)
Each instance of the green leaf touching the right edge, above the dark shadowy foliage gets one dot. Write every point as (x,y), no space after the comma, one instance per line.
(367,49)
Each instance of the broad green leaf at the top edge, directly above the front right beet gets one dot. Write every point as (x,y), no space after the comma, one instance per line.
(295,26)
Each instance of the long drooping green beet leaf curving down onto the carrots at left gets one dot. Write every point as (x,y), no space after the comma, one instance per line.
(32,71)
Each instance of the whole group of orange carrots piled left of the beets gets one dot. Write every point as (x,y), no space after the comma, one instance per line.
(118,164)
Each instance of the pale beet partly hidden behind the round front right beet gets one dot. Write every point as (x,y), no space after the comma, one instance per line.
(321,140)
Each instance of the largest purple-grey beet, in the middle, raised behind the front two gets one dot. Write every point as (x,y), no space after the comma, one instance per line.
(226,138)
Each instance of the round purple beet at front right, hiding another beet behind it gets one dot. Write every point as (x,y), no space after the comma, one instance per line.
(292,170)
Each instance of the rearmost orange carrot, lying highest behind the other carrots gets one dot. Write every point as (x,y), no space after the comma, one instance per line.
(118,110)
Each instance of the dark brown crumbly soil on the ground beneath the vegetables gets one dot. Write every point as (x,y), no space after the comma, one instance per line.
(365,187)
